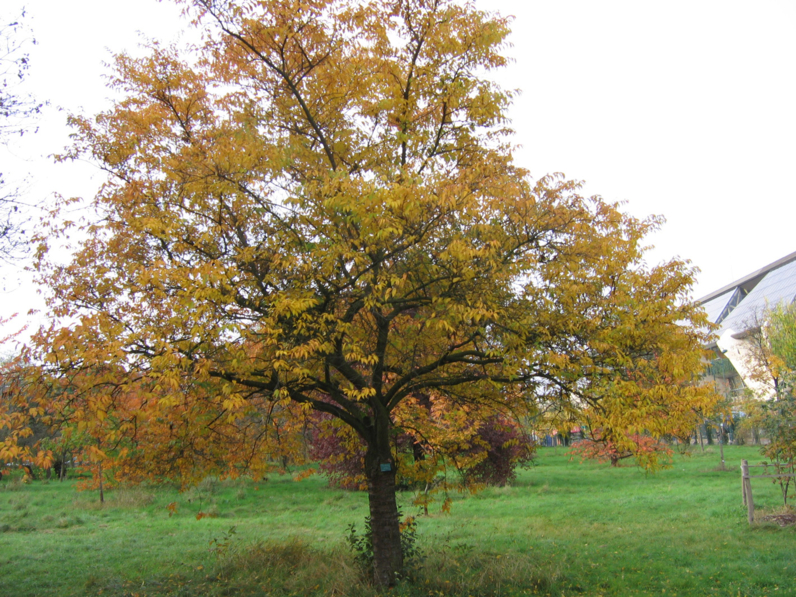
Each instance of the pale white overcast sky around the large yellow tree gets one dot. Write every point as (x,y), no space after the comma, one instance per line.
(685,109)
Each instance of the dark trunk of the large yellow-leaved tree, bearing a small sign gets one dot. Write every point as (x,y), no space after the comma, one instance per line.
(384,522)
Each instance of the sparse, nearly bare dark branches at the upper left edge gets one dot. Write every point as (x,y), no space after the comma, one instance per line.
(16,113)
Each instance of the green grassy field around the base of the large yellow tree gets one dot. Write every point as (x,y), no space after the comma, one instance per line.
(564,528)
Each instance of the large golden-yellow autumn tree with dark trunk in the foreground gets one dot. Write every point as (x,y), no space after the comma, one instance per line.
(320,211)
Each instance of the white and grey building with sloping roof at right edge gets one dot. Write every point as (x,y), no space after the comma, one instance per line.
(738,309)
